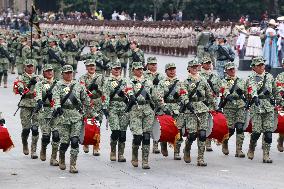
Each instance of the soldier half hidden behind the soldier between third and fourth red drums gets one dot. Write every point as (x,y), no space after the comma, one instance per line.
(214,83)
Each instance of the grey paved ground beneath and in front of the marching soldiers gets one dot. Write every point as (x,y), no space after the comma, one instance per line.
(19,171)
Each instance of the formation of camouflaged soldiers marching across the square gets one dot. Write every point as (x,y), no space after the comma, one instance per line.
(53,103)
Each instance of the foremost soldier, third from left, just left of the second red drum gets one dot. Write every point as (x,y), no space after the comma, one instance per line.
(69,97)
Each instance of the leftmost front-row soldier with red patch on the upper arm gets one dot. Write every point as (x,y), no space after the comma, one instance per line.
(24,86)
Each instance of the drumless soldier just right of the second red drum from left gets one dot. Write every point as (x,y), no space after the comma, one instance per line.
(114,105)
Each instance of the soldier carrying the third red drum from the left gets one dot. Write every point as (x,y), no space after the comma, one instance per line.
(169,90)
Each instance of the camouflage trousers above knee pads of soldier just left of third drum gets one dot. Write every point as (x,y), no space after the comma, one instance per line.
(141,119)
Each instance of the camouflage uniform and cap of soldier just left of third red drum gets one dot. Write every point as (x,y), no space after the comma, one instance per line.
(141,117)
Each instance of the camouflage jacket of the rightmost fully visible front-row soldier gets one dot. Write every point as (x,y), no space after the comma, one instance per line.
(254,83)
